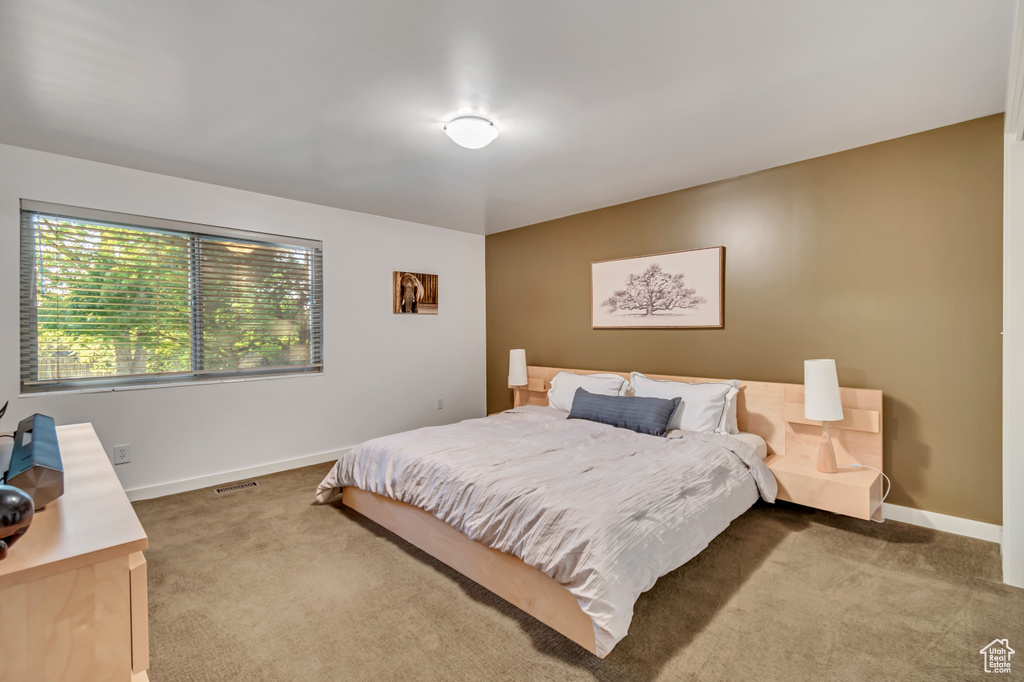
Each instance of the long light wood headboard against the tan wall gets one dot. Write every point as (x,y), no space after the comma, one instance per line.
(775,412)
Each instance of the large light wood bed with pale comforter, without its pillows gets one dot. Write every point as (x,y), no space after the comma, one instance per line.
(571,521)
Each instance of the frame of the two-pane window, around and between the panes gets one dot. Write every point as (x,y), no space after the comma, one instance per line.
(29,356)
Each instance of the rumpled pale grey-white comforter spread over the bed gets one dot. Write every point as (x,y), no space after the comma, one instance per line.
(605,511)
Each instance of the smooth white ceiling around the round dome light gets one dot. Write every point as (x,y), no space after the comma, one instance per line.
(342,103)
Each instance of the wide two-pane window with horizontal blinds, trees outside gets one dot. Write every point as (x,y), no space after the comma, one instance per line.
(110,300)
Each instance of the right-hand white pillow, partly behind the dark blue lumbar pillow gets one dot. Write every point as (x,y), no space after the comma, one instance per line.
(710,408)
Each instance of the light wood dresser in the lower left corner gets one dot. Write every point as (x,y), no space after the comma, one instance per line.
(73,590)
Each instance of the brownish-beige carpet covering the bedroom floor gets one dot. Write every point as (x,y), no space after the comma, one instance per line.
(262,585)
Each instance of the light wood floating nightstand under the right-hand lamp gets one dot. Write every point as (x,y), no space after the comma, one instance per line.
(852,492)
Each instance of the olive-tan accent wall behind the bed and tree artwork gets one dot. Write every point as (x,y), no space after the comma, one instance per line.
(886,258)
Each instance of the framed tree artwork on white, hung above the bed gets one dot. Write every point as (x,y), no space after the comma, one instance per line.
(679,290)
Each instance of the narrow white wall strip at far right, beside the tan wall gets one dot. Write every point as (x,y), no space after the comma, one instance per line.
(1013,362)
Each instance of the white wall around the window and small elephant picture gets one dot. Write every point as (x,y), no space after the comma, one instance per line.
(383,372)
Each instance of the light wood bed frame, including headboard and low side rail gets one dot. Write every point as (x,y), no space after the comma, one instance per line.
(773,411)
